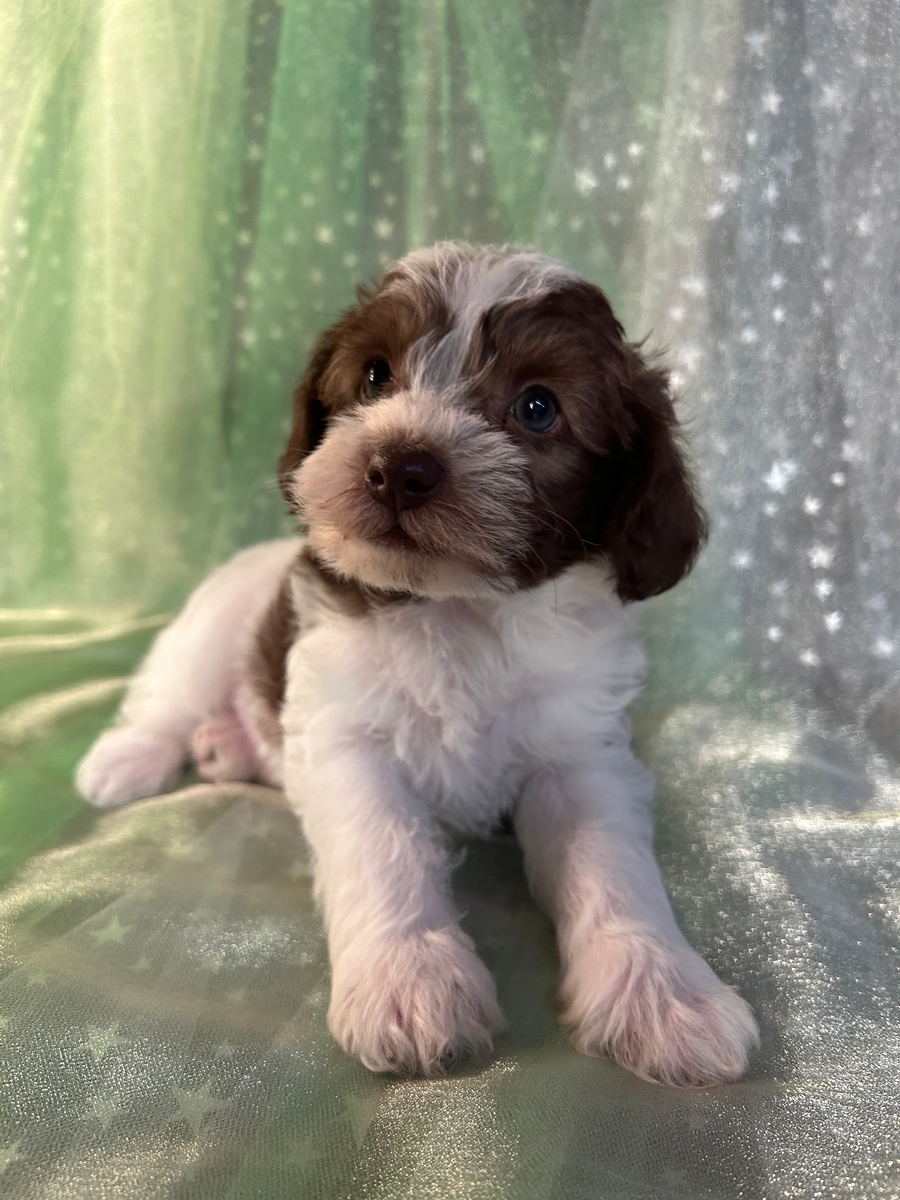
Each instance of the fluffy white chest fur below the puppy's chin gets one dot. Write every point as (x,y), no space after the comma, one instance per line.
(472,695)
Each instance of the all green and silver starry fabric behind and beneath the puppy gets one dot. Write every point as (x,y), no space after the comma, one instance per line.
(176,227)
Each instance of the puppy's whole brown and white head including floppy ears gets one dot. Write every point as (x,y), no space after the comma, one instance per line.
(477,425)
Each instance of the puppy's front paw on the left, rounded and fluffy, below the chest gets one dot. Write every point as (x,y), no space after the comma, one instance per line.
(417,1006)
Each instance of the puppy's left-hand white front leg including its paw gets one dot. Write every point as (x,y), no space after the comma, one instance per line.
(409,993)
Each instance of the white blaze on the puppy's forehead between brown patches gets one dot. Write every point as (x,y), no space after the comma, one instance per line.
(472,281)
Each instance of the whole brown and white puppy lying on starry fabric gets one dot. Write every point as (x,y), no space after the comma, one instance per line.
(488,473)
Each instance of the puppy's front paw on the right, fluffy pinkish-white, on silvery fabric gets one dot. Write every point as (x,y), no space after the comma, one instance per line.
(661,1012)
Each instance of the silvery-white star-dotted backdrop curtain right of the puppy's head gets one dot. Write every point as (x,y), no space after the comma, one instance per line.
(765,259)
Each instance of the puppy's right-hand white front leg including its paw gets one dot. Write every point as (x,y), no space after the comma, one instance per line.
(632,985)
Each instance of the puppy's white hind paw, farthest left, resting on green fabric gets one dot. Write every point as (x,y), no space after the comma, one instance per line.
(128,765)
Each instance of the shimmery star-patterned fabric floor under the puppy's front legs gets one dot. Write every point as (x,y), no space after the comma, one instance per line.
(166,985)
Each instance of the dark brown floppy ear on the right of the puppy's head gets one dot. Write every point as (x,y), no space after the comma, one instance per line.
(657,525)
